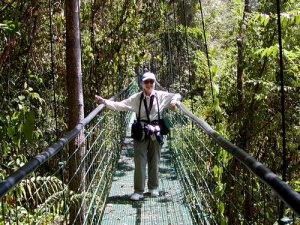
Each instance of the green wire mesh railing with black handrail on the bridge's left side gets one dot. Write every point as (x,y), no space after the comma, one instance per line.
(39,192)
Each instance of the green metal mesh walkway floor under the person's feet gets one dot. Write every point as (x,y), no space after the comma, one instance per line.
(168,208)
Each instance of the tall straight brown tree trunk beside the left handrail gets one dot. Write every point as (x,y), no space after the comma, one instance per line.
(76,107)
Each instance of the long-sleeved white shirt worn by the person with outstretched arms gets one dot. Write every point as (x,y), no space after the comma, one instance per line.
(133,103)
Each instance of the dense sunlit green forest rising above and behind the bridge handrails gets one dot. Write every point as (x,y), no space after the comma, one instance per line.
(239,94)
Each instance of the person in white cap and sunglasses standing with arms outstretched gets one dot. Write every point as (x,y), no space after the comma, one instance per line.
(147,104)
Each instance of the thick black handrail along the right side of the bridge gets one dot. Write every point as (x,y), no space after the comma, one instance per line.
(285,192)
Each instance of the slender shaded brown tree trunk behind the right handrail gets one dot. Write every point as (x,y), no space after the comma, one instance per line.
(242,129)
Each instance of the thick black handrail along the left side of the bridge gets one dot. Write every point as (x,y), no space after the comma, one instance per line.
(12,180)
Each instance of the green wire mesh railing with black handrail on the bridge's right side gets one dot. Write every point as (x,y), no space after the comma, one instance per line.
(223,184)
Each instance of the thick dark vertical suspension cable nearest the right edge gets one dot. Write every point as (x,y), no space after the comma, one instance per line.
(283,127)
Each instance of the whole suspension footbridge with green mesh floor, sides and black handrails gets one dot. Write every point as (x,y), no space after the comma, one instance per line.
(196,186)
